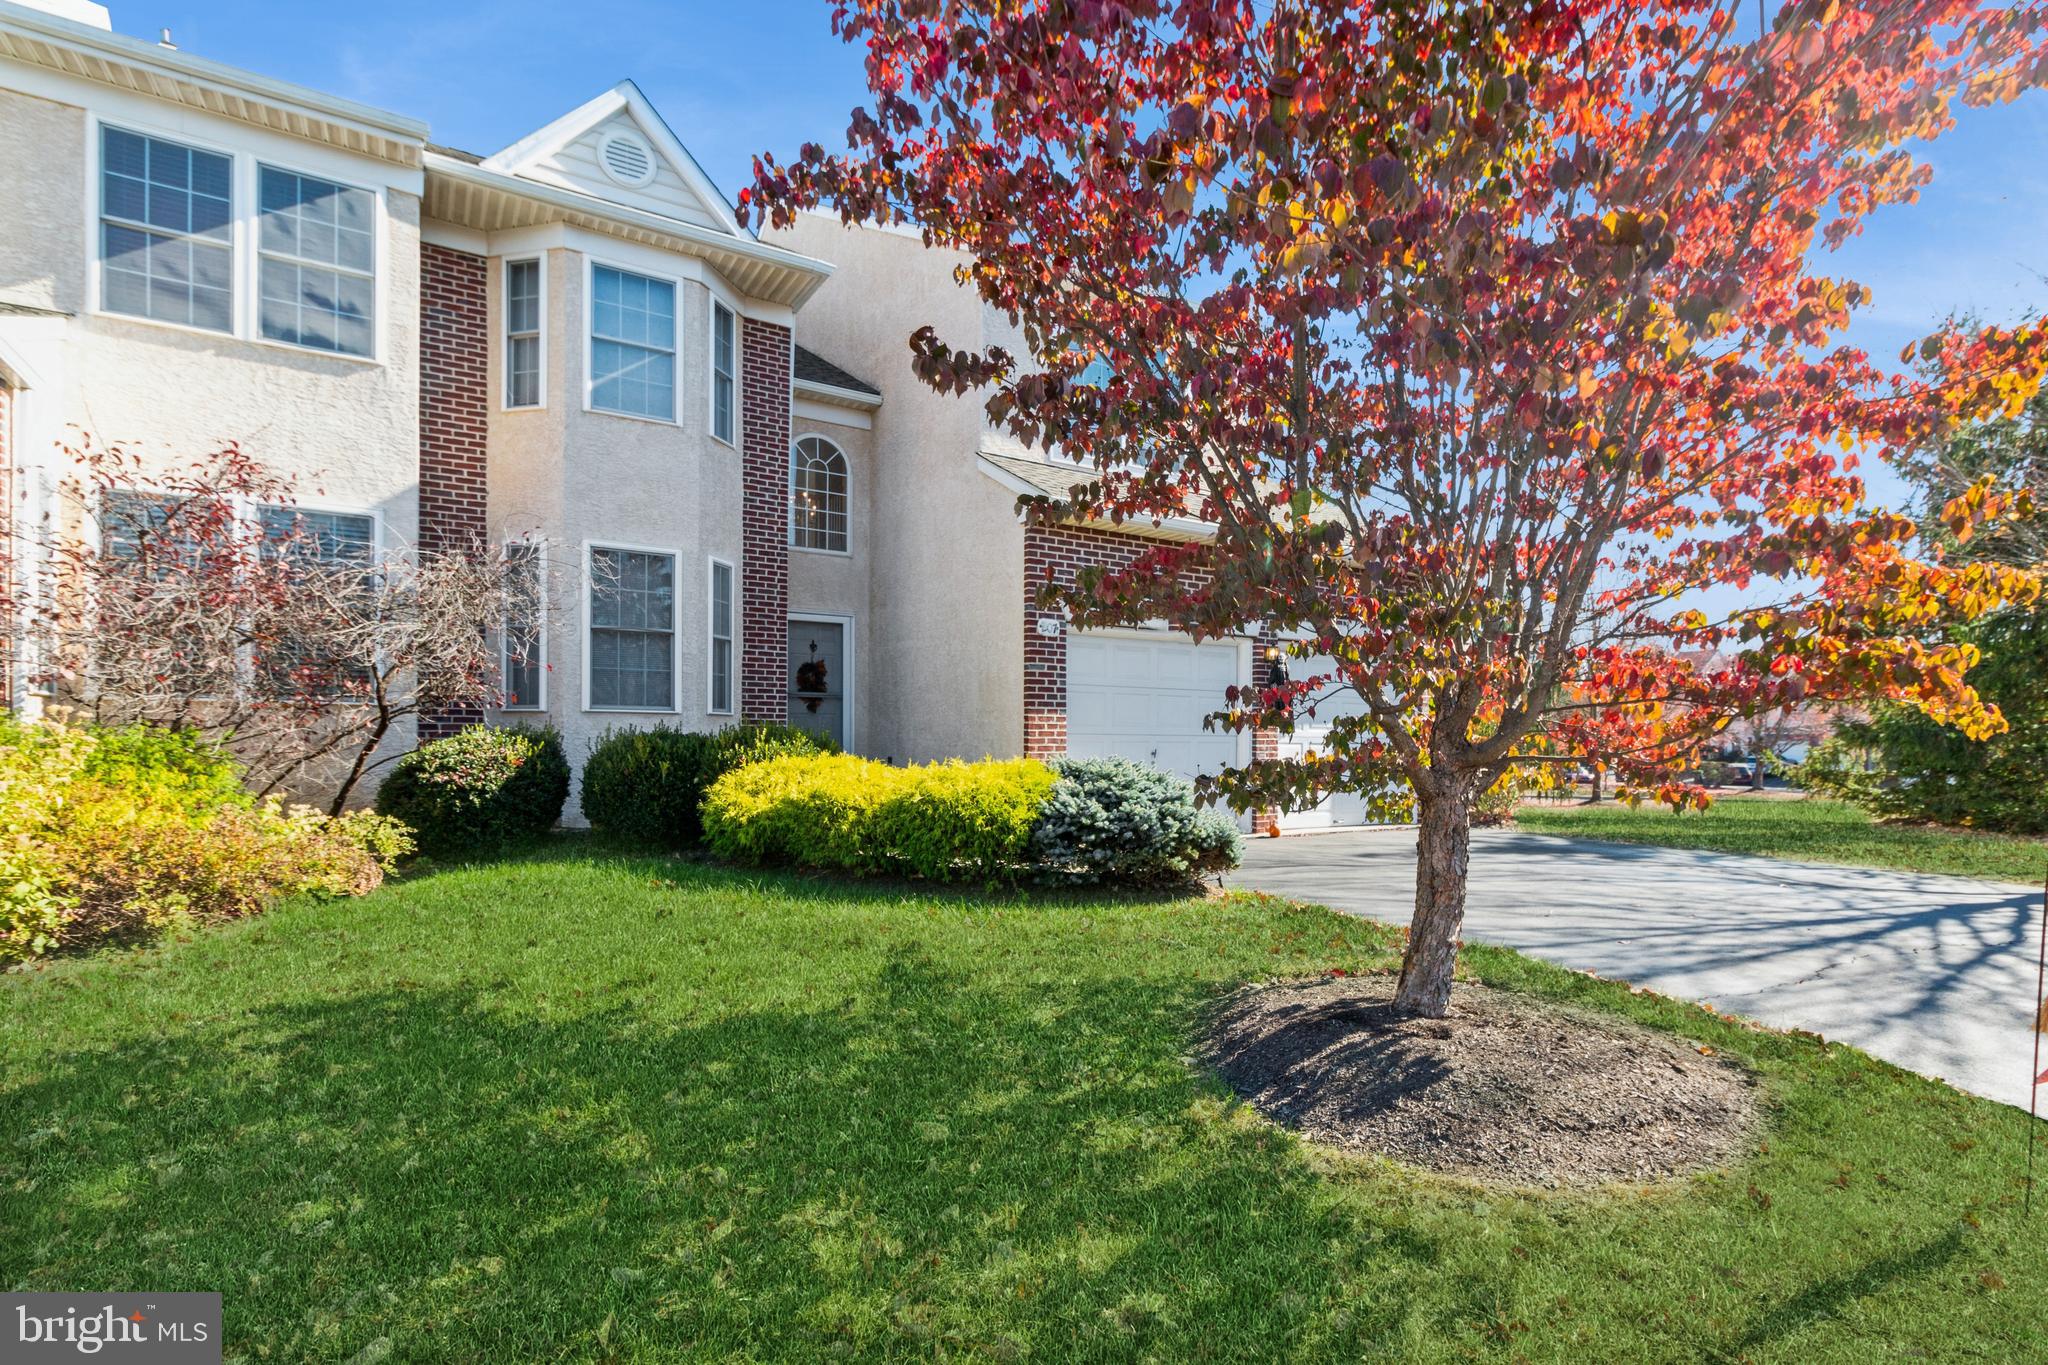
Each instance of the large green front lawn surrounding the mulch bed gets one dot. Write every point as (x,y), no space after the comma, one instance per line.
(593,1108)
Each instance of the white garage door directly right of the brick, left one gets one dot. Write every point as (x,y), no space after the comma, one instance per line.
(1142,699)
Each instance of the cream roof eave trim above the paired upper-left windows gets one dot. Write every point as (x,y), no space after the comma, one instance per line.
(38,38)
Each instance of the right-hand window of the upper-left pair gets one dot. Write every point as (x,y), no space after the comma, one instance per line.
(318,263)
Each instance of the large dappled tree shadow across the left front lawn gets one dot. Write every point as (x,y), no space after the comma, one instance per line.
(939,1170)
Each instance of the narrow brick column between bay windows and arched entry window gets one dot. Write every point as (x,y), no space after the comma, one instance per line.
(765,359)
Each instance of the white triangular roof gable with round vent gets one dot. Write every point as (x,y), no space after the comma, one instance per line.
(574,148)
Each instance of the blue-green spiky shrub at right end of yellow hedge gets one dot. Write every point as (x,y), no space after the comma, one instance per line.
(1125,822)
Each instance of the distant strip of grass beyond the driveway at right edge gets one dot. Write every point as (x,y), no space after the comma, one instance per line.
(1807,830)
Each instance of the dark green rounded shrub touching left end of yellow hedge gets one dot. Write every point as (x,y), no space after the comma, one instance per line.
(646,787)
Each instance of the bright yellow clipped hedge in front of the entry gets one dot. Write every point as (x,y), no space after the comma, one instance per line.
(943,822)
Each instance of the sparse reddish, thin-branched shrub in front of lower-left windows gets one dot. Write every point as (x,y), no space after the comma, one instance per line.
(200,597)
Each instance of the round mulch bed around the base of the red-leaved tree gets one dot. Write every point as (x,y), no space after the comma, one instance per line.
(1508,1090)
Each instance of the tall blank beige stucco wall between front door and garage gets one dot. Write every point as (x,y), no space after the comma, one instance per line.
(947,674)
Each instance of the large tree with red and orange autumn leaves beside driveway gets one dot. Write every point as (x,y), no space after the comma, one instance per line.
(1486,335)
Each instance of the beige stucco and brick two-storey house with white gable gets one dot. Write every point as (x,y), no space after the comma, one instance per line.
(714,443)
